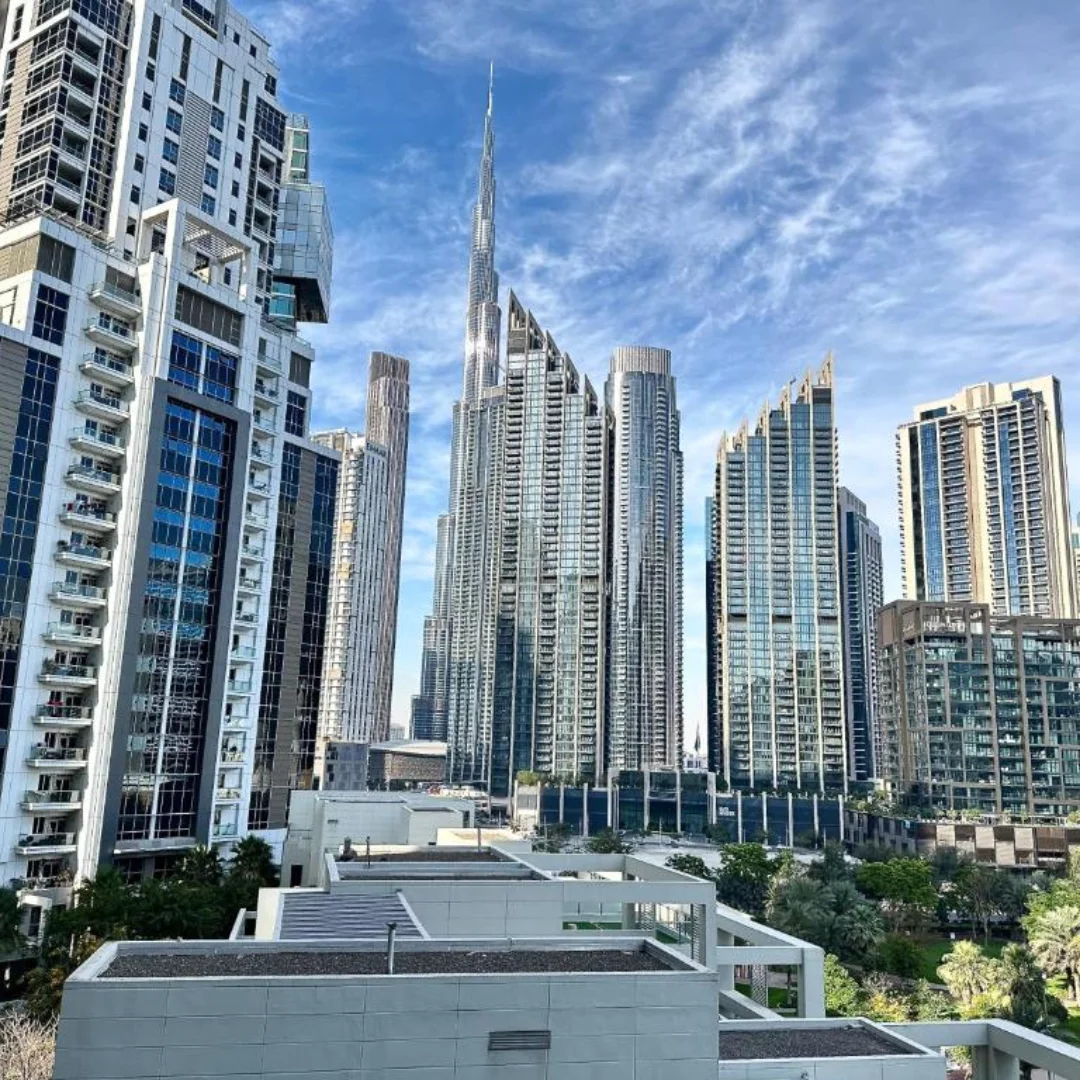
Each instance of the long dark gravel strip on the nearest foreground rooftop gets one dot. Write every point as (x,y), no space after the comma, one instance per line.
(447,963)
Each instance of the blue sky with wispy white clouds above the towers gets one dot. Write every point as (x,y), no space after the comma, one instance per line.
(748,183)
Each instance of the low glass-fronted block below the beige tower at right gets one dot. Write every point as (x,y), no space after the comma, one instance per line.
(980,712)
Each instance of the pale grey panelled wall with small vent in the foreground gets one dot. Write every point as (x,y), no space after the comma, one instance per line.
(656,1027)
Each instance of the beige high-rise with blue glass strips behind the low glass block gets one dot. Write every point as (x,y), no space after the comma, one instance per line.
(984,504)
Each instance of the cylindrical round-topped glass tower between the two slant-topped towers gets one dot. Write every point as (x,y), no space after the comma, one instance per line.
(645,706)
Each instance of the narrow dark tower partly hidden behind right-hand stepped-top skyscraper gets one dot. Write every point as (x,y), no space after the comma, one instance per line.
(862,596)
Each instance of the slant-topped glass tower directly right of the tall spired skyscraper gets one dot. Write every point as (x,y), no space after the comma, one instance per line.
(548,701)
